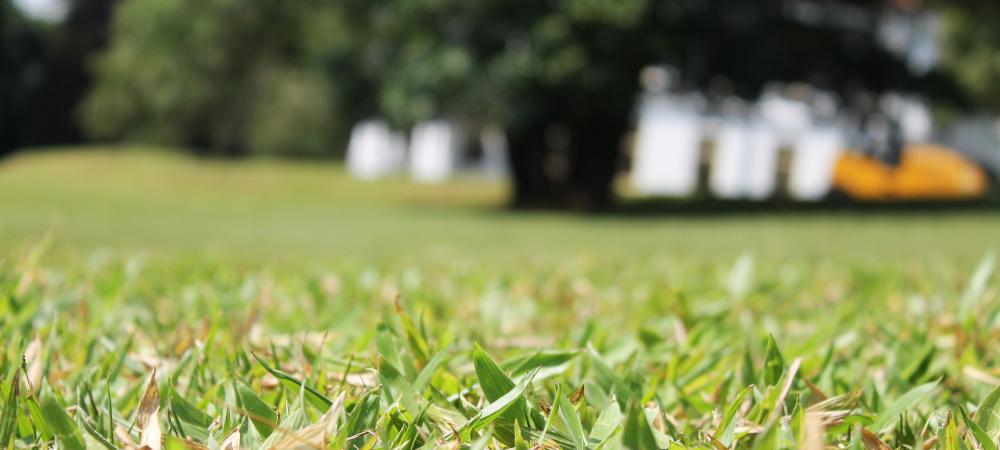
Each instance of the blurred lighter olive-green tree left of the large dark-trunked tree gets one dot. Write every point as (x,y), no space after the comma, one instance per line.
(228,77)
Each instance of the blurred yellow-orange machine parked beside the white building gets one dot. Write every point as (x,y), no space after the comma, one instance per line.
(924,172)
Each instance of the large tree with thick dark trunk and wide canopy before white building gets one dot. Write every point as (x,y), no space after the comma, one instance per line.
(561,75)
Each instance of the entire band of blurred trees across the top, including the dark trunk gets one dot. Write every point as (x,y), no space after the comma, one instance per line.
(277,77)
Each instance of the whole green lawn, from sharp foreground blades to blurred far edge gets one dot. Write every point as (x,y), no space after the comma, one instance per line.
(151,300)
